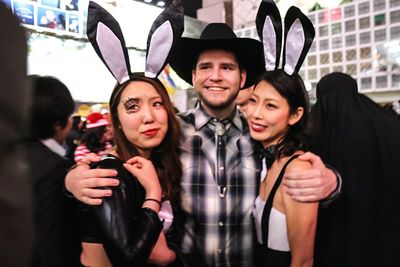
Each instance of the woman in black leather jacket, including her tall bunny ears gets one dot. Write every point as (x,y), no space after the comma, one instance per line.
(125,229)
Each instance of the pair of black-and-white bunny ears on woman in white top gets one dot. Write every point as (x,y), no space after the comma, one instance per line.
(299,35)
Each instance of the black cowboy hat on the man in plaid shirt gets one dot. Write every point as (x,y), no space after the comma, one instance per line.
(249,52)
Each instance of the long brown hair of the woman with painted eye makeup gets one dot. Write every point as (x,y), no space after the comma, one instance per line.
(164,157)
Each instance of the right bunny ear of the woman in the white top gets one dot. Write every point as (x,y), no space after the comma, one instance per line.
(299,35)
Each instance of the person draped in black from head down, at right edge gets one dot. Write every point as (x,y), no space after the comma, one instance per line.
(362,141)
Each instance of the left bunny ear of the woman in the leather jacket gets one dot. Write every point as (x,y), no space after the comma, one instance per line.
(105,35)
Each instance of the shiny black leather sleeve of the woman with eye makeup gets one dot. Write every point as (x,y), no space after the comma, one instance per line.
(129,231)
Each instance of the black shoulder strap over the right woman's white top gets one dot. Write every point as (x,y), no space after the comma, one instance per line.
(269,202)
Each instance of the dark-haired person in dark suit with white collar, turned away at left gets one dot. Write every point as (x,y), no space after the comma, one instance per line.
(56,240)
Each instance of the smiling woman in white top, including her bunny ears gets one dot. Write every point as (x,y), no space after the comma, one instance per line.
(277,114)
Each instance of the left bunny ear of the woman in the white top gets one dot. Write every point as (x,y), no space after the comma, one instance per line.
(269,28)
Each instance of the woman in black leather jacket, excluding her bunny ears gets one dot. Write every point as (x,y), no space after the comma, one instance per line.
(146,137)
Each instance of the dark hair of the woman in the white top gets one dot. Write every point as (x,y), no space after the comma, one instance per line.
(293,90)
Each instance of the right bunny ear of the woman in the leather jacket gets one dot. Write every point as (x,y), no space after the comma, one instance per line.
(166,29)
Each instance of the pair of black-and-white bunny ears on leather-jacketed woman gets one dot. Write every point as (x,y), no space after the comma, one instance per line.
(105,35)
